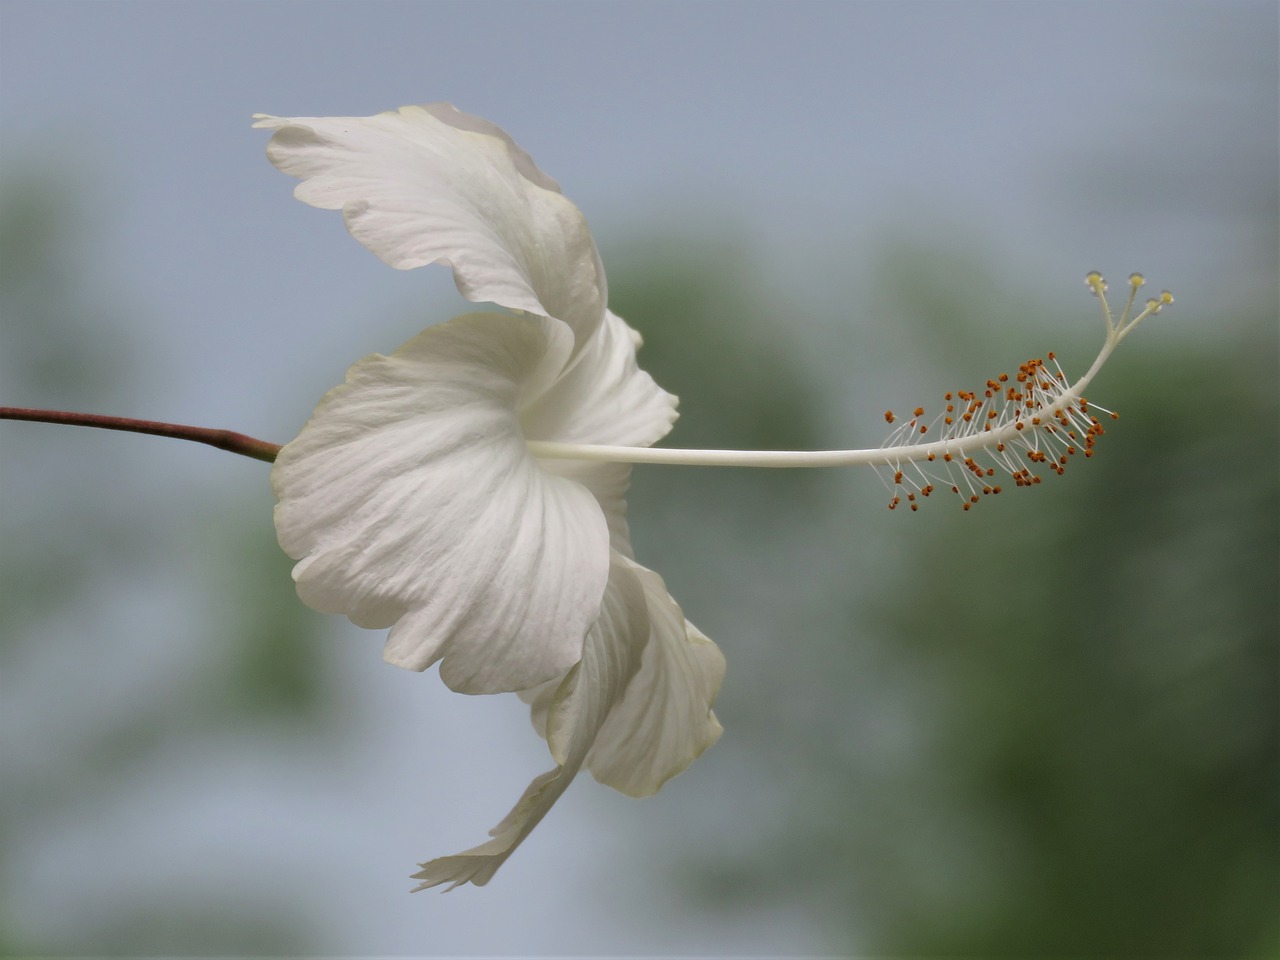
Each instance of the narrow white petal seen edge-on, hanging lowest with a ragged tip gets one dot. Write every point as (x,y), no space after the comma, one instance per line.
(575,714)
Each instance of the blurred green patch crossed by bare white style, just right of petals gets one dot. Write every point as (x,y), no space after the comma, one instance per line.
(712,339)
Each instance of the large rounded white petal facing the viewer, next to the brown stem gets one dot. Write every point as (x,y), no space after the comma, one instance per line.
(412,501)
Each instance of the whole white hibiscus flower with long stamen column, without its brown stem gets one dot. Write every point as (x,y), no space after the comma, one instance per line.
(468,491)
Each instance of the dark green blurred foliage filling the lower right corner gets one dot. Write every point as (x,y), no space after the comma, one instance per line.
(1113,669)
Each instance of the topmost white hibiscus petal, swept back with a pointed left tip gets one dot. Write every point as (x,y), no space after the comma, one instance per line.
(432,185)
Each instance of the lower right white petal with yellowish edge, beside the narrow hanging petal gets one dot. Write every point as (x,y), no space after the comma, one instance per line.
(665,721)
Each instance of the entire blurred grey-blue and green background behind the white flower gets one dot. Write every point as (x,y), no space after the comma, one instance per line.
(1045,728)
